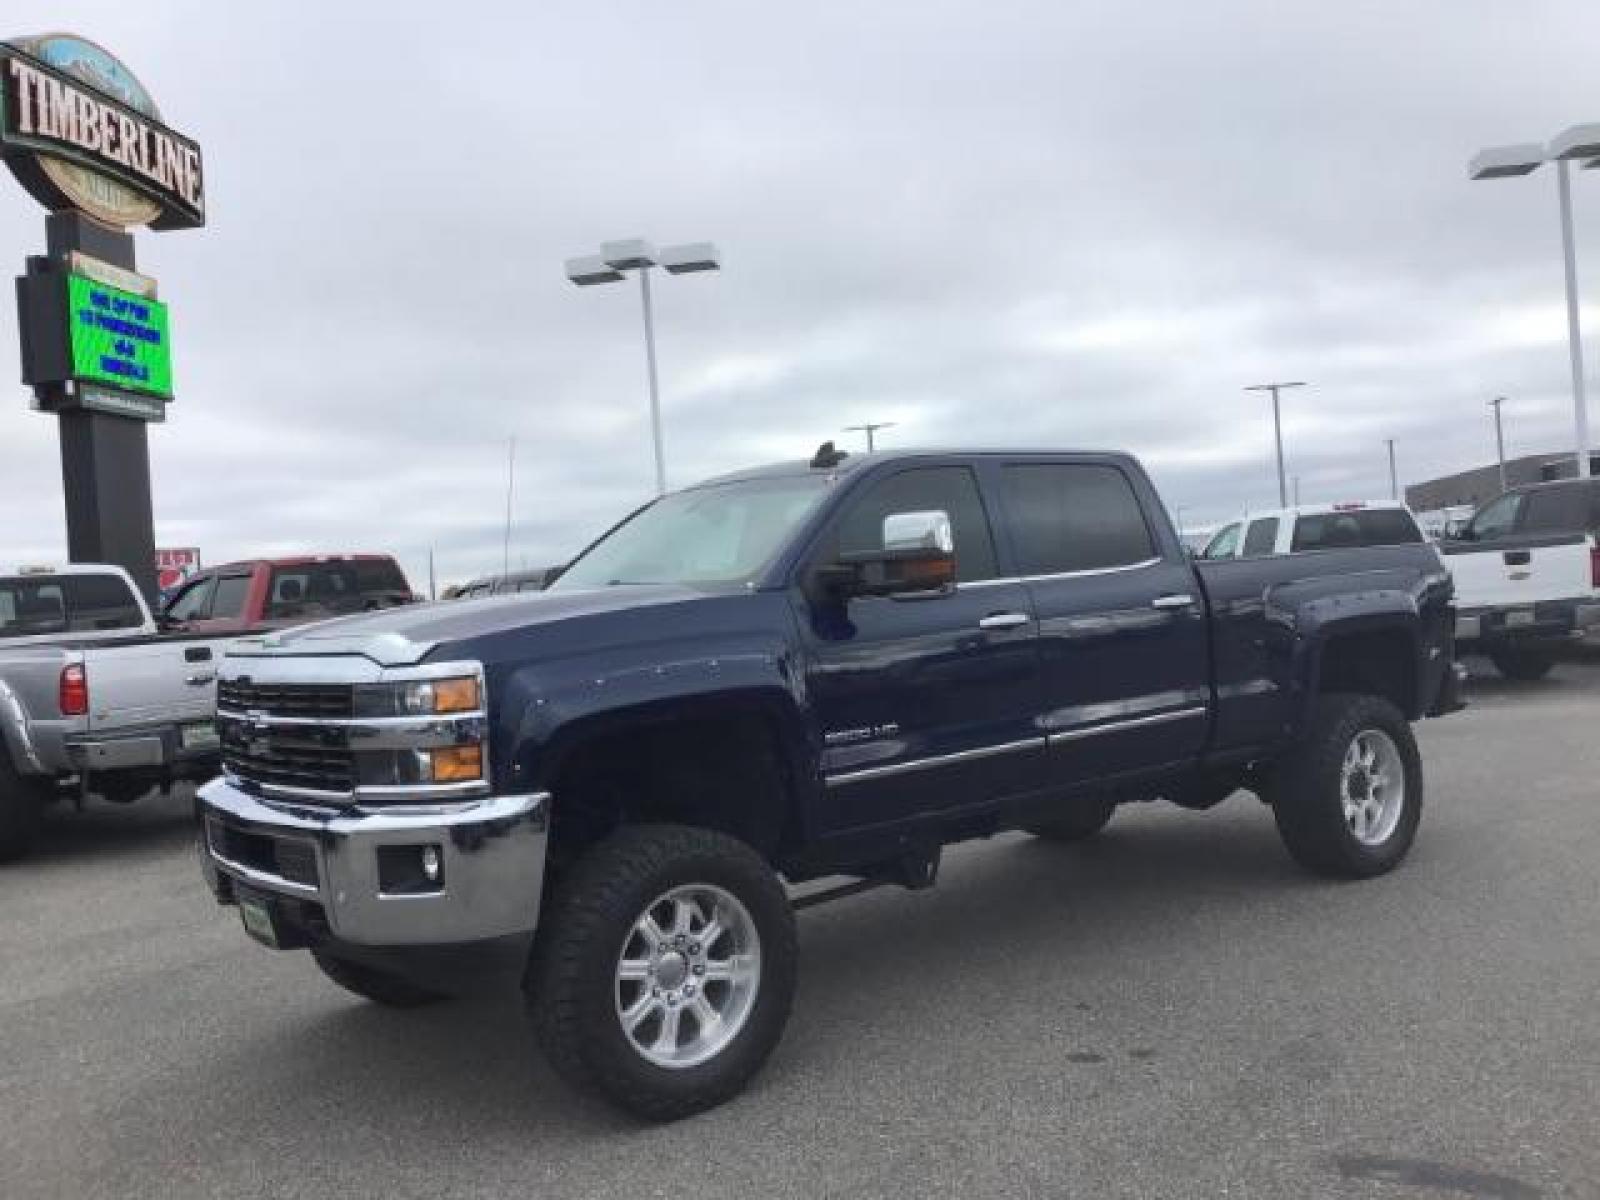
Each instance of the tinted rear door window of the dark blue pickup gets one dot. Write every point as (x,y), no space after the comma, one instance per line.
(1074,518)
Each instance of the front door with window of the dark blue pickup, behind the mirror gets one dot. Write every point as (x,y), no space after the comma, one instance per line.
(926,702)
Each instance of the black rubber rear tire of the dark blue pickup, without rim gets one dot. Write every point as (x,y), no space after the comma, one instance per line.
(1305,799)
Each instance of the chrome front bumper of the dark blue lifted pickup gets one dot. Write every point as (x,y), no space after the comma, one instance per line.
(492,854)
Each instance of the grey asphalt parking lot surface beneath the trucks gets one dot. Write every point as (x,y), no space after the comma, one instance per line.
(1170,1012)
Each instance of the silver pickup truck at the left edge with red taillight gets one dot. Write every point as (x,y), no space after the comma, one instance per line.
(94,700)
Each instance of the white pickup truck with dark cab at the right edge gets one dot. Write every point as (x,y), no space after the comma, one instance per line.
(1527,575)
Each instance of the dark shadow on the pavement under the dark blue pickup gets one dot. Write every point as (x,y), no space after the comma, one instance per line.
(1006,908)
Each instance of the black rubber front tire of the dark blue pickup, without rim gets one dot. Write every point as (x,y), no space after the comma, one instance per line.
(588,910)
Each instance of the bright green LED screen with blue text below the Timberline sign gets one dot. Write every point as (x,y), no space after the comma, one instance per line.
(119,338)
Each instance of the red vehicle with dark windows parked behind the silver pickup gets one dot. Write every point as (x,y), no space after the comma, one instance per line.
(274,593)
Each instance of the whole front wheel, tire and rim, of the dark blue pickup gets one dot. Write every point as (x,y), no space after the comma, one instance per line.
(665,970)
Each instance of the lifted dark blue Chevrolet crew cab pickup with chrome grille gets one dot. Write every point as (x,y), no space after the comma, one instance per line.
(820,671)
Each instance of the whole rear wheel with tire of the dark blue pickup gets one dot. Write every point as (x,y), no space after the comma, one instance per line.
(1350,798)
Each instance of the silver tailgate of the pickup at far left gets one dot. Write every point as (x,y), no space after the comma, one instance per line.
(156,682)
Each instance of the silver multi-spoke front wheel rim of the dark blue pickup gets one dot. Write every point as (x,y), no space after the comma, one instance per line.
(689,975)
